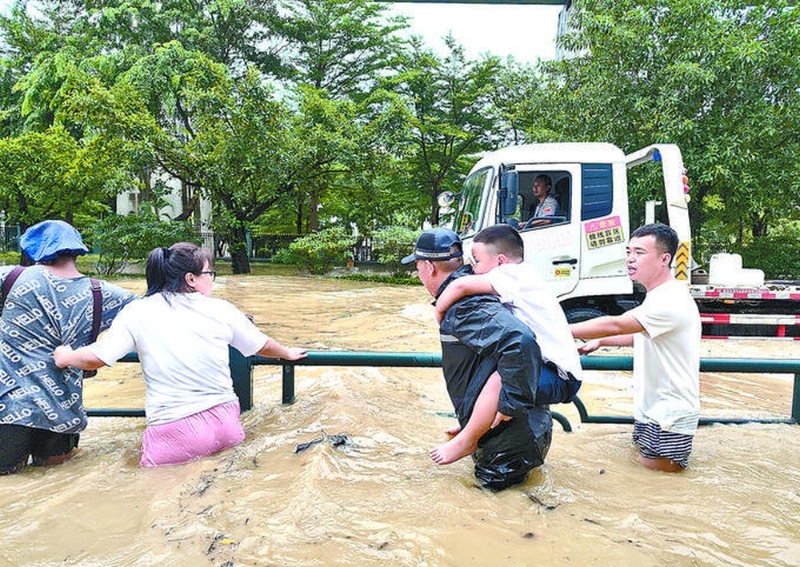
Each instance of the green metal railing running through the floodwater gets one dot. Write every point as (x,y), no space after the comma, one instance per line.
(242,373)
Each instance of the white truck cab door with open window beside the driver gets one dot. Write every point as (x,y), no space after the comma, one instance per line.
(553,242)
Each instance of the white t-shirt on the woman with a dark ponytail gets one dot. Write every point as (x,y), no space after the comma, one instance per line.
(182,340)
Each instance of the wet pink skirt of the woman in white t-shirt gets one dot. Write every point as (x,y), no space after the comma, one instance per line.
(197,435)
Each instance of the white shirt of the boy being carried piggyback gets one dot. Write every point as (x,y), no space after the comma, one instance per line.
(525,292)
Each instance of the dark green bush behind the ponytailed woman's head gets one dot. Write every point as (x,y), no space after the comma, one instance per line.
(131,238)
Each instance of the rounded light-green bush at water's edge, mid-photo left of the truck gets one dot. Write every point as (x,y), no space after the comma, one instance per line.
(317,253)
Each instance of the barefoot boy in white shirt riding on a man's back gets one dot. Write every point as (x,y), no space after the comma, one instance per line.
(498,254)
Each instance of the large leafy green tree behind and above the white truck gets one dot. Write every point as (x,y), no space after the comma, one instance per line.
(717,77)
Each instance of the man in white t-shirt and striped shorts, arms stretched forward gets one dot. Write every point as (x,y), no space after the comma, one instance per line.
(665,333)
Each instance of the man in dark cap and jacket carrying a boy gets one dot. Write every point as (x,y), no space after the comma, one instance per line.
(479,338)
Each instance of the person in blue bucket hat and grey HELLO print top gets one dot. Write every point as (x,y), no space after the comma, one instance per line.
(46,305)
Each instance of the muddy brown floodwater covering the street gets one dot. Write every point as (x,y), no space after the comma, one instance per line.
(378,499)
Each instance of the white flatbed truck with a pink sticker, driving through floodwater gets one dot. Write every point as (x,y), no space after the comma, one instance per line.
(581,251)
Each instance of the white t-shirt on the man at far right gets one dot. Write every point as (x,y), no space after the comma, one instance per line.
(666,359)
